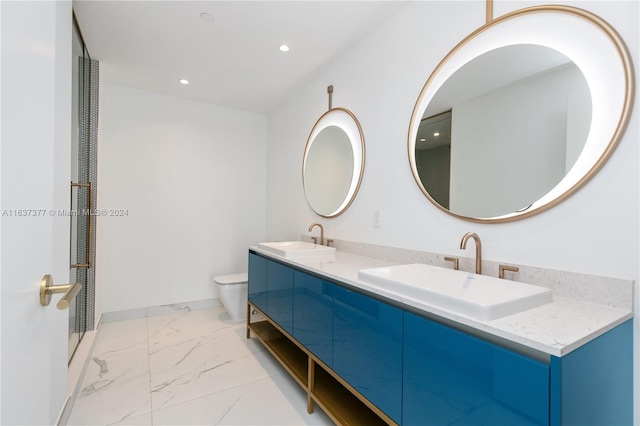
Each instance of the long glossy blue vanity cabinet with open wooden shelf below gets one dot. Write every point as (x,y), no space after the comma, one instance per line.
(419,371)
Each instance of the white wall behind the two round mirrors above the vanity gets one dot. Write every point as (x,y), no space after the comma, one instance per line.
(596,231)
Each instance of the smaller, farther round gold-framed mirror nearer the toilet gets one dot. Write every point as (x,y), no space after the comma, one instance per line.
(333,162)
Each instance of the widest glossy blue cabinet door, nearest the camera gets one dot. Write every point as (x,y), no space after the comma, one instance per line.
(453,378)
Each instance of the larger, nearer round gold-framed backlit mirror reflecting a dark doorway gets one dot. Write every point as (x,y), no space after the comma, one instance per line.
(516,119)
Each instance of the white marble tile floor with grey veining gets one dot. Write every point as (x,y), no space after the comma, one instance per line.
(187,368)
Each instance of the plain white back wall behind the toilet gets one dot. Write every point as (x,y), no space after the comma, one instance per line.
(192,179)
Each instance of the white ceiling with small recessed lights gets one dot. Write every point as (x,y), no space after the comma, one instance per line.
(233,61)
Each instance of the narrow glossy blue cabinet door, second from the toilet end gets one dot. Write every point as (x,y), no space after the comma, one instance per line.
(280,295)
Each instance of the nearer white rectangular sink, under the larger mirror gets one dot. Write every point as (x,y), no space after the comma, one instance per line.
(476,296)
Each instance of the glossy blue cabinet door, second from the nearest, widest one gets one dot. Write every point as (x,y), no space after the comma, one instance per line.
(367,348)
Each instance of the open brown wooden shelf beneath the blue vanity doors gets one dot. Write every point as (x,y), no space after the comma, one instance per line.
(343,404)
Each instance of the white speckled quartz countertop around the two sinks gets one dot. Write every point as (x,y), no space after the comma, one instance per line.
(556,328)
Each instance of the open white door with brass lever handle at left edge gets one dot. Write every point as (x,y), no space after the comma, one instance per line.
(35,129)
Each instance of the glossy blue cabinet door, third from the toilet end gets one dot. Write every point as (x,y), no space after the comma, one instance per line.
(313,315)
